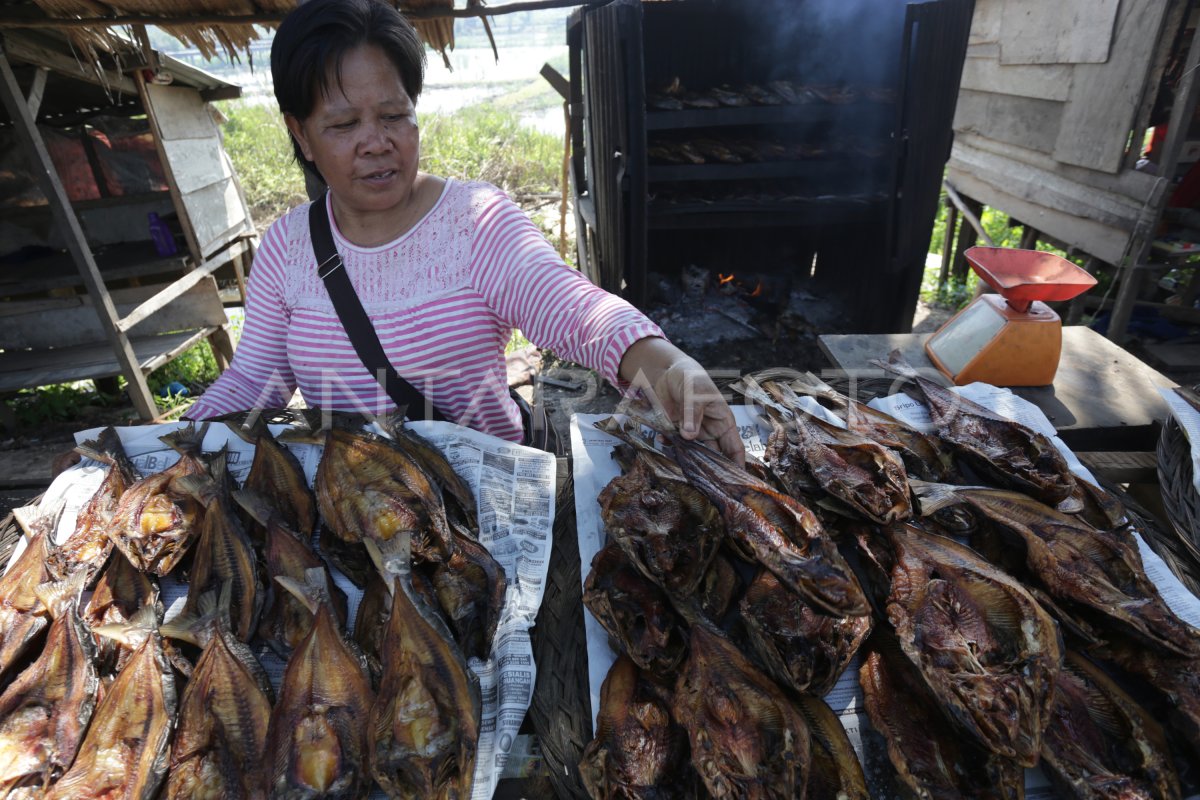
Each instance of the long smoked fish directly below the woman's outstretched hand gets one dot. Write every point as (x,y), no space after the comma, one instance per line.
(777,531)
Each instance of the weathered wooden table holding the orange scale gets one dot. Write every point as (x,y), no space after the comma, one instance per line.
(1102,399)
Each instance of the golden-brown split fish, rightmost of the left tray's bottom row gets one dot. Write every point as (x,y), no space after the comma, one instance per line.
(425,721)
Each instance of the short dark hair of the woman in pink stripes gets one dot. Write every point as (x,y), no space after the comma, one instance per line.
(311,43)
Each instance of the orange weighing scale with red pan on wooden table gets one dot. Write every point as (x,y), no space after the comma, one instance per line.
(1011,339)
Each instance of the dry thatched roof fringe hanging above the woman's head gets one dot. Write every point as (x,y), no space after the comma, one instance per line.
(217,27)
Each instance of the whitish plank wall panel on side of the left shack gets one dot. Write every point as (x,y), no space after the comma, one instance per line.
(200,169)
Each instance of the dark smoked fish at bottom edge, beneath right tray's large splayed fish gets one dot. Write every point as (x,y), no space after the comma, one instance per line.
(932,759)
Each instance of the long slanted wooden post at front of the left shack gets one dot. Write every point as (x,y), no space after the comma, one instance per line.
(77,244)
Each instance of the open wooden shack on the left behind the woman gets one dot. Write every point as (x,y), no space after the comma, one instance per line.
(94,146)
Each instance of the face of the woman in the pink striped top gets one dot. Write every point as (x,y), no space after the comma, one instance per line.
(363,135)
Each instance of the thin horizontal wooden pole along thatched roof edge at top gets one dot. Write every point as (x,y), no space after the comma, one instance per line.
(274,19)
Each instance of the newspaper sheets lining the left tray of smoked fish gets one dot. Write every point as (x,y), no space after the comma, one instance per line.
(514,488)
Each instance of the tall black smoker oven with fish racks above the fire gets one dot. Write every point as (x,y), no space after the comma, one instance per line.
(799,137)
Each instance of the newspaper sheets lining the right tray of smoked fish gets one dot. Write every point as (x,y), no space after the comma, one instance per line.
(595,467)
